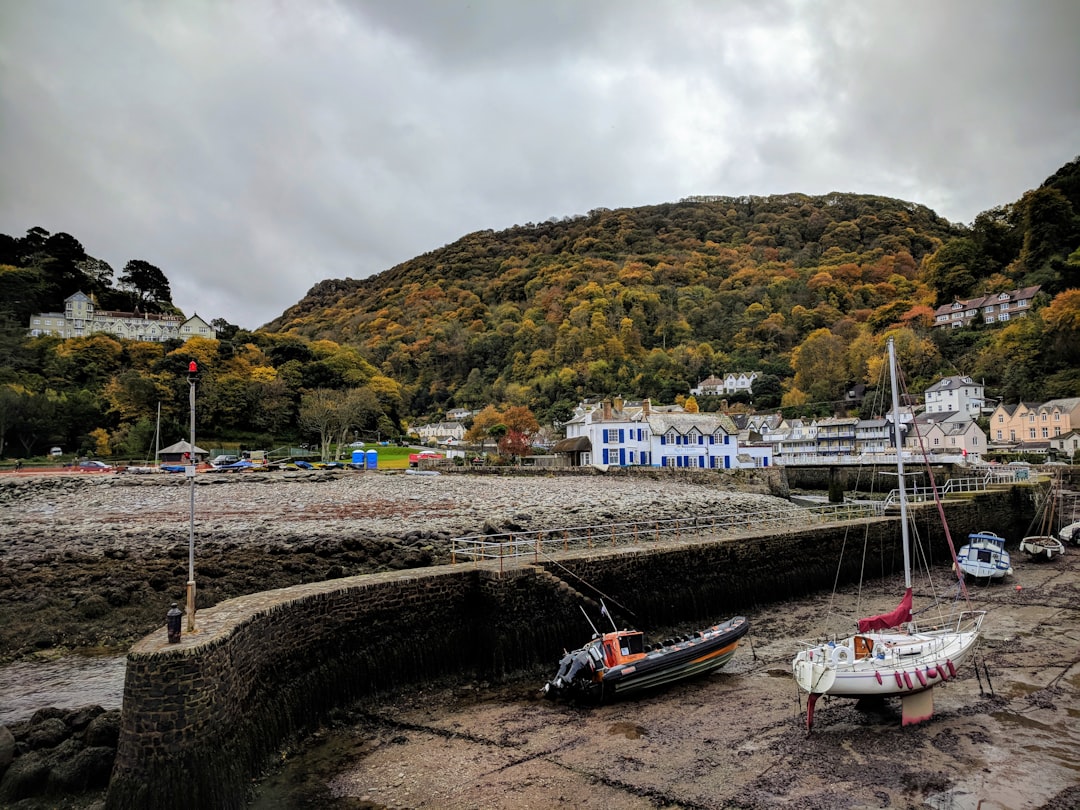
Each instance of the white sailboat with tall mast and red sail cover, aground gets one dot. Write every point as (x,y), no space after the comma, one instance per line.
(890,656)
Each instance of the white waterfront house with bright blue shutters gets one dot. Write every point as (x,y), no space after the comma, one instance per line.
(620,435)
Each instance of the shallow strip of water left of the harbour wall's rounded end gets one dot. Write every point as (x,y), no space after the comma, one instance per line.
(67,683)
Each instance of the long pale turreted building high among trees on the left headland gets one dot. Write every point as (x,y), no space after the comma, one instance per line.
(82,319)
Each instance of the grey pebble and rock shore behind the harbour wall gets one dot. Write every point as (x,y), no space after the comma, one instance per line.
(94,561)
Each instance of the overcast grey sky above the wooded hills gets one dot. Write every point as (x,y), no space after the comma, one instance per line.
(253,148)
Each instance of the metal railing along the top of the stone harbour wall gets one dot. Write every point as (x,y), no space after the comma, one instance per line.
(518,547)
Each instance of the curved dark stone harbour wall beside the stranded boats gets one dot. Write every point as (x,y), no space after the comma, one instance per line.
(204,718)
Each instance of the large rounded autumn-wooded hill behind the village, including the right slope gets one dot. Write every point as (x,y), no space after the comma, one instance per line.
(647,302)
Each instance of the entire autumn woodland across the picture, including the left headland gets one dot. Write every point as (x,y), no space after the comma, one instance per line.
(636,303)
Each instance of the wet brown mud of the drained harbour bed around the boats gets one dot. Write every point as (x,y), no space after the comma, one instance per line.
(737,739)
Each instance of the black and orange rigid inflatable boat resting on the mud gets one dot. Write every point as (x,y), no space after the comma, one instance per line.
(619,664)
